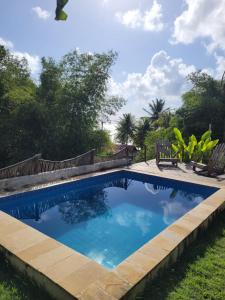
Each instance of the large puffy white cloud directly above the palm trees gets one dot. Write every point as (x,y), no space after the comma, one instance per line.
(165,77)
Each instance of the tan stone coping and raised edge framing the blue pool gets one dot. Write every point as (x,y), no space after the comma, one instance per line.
(67,274)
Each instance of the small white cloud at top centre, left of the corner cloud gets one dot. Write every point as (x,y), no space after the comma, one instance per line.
(149,20)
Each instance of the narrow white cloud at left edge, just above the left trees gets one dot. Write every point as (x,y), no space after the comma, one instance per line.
(33,60)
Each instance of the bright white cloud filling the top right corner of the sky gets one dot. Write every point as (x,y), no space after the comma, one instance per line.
(201,19)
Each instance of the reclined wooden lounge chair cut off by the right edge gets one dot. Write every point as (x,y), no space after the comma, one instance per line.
(216,164)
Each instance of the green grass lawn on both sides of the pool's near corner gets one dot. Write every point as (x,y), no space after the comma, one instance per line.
(198,275)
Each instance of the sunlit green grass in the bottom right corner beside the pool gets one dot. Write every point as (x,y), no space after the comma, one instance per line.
(200,272)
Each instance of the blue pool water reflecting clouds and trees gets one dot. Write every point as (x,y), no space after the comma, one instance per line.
(107,217)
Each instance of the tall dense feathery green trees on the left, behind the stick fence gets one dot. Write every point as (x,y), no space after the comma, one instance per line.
(58,115)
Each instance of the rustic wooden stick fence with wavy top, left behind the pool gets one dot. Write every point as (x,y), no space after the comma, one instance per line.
(36,164)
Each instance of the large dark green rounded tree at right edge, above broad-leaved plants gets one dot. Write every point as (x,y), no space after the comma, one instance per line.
(203,107)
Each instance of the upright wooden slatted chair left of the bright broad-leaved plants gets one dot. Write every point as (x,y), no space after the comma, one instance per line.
(164,153)
